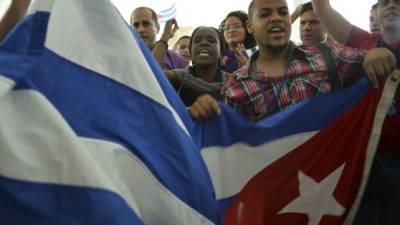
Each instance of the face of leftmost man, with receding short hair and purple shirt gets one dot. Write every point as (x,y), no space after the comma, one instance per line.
(144,25)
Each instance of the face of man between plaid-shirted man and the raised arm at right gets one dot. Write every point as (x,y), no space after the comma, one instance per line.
(311,29)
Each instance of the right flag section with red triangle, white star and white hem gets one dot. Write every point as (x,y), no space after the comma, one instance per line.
(306,165)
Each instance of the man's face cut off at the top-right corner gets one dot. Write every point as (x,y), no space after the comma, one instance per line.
(389,15)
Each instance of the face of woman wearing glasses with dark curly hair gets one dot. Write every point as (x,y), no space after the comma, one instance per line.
(234,31)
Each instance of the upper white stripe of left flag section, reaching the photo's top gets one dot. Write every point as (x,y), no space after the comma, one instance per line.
(93,34)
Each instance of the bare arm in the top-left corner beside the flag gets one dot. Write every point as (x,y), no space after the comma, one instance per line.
(15,12)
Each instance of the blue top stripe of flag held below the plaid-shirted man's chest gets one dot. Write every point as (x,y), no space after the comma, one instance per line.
(229,129)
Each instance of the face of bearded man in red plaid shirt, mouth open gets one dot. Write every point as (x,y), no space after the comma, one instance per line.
(270,24)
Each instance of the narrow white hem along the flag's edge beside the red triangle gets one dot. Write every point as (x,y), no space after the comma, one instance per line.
(380,115)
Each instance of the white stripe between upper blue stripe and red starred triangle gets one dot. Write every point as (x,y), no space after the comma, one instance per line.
(232,167)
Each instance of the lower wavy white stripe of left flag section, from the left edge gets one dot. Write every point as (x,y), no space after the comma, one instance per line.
(38,145)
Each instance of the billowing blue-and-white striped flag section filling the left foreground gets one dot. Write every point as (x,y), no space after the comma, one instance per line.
(91,131)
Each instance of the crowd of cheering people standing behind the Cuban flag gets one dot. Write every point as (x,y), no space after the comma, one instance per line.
(250,64)
